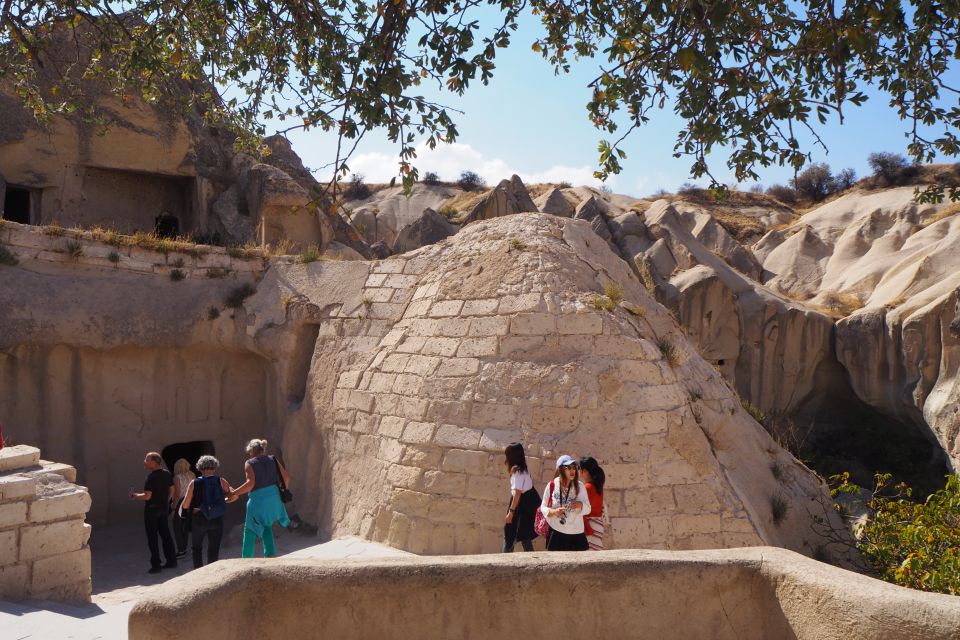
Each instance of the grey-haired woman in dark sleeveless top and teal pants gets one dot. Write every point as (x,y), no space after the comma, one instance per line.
(264,506)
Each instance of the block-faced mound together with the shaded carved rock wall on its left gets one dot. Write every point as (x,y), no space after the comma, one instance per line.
(393,386)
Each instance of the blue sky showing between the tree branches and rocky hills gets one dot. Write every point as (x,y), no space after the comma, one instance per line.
(531,122)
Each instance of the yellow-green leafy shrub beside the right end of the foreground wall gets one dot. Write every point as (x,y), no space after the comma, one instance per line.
(912,544)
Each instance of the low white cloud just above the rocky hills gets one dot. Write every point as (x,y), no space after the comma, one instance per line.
(450,160)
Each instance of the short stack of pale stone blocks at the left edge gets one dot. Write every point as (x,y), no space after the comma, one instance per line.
(44,553)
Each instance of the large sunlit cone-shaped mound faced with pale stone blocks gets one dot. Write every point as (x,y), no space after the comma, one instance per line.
(497,345)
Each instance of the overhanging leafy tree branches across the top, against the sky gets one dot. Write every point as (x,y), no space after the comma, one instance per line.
(756,77)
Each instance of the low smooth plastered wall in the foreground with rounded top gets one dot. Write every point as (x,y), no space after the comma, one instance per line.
(744,594)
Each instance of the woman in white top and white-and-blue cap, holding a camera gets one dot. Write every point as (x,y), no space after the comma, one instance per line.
(564,506)
